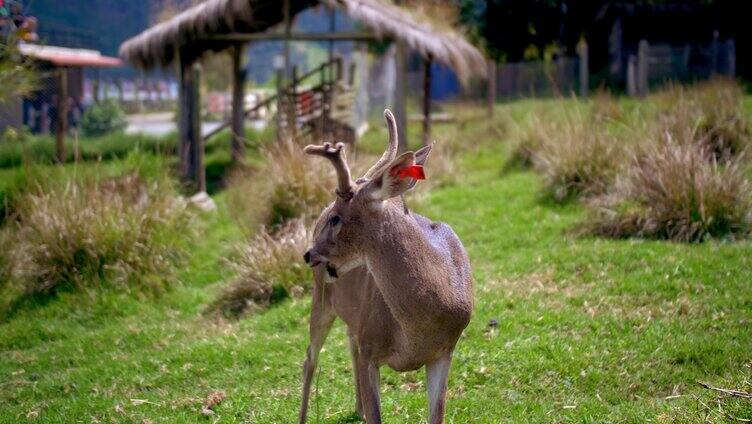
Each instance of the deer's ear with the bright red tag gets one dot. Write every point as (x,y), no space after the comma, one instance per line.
(396,178)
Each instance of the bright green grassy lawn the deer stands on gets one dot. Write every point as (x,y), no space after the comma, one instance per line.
(589,330)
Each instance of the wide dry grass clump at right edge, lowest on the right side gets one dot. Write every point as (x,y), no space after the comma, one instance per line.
(675,190)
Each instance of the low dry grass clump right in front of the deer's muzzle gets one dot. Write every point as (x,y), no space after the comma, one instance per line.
(269,268)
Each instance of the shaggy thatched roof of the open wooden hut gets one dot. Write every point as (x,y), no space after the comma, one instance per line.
(187,32)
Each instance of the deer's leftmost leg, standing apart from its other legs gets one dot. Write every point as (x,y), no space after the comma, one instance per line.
(322,318)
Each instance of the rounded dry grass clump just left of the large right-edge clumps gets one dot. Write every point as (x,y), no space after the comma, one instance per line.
(576,156)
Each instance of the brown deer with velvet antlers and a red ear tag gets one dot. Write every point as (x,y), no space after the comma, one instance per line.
(401,282)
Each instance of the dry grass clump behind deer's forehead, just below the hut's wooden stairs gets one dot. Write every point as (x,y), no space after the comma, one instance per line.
(289,185)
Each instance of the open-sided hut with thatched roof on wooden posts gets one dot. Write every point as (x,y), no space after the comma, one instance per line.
(217,25)
